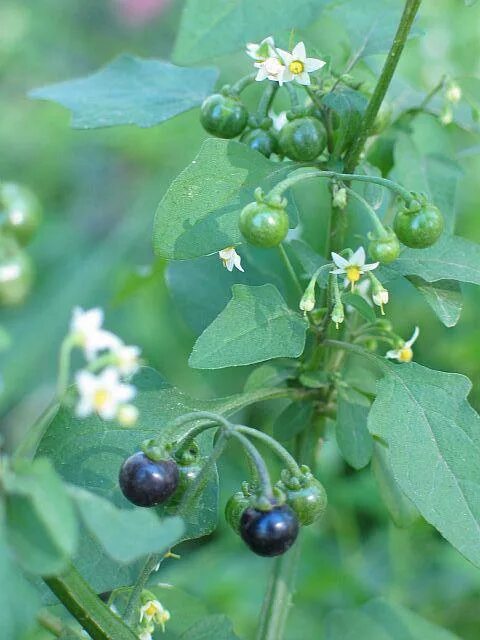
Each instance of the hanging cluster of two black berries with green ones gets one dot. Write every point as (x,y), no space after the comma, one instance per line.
(267,520)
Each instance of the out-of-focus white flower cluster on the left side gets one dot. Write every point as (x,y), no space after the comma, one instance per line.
(101,385)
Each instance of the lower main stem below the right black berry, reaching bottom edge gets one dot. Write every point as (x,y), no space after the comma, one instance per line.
(278,597)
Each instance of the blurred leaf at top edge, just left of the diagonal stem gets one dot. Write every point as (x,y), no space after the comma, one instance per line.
(371,26)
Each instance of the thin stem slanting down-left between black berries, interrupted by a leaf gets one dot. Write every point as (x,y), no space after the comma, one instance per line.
(152,560)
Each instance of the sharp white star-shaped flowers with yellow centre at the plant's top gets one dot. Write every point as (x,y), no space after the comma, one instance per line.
(282,66)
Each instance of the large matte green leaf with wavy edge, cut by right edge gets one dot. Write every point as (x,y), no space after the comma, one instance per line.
(433,436)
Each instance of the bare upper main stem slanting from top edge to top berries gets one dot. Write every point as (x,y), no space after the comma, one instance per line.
(393,57)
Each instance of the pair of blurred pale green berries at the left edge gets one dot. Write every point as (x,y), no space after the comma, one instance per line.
(20,216)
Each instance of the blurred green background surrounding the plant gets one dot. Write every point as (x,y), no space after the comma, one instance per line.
(100,190)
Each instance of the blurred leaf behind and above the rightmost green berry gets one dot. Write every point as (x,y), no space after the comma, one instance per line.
(434,175)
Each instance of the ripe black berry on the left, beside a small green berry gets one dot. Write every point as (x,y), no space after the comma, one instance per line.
(147,482)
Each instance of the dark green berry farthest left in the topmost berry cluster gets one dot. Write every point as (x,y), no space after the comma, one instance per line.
(224,116)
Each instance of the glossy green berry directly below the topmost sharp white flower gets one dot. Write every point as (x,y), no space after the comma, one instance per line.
(302,139)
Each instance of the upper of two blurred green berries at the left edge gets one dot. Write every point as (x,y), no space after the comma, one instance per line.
(20,211)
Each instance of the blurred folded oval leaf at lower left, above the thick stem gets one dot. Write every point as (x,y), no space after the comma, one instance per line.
(41,521)
